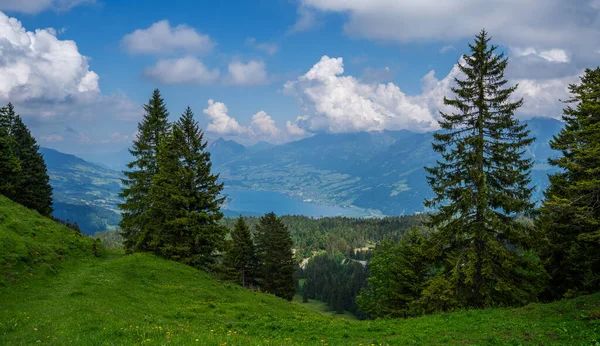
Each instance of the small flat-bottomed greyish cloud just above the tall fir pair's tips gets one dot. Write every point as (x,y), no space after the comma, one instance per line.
(187,70)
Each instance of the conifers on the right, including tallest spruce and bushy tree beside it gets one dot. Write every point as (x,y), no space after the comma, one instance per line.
(479,252)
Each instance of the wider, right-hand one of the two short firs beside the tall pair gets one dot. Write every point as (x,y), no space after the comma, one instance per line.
(276,259)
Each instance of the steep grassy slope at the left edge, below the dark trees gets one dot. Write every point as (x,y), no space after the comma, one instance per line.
(30,243)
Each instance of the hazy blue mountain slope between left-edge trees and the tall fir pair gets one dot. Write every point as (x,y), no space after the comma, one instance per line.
(83,192)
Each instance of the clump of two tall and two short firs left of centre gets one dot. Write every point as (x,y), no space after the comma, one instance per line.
(172,208)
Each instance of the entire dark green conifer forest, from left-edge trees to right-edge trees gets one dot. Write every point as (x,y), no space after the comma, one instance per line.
(485,244)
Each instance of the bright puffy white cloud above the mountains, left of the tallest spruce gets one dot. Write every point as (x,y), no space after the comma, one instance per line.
(344,104)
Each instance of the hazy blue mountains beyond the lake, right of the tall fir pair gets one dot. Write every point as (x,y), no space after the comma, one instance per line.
(372,170)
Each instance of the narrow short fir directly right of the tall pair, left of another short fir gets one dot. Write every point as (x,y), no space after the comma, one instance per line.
(240,259)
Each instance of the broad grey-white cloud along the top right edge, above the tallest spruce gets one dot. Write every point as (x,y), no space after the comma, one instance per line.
(543,24)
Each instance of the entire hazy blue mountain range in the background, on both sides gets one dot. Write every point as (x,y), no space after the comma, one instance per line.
(381,172)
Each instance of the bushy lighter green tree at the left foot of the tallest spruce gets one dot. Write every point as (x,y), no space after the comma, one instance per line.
(398,272)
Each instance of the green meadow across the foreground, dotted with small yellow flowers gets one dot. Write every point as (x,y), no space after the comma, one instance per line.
(142,299)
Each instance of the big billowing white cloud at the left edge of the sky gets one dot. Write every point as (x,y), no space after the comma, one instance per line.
(39,66)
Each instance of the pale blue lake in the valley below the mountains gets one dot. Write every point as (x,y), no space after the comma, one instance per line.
(262,202)
